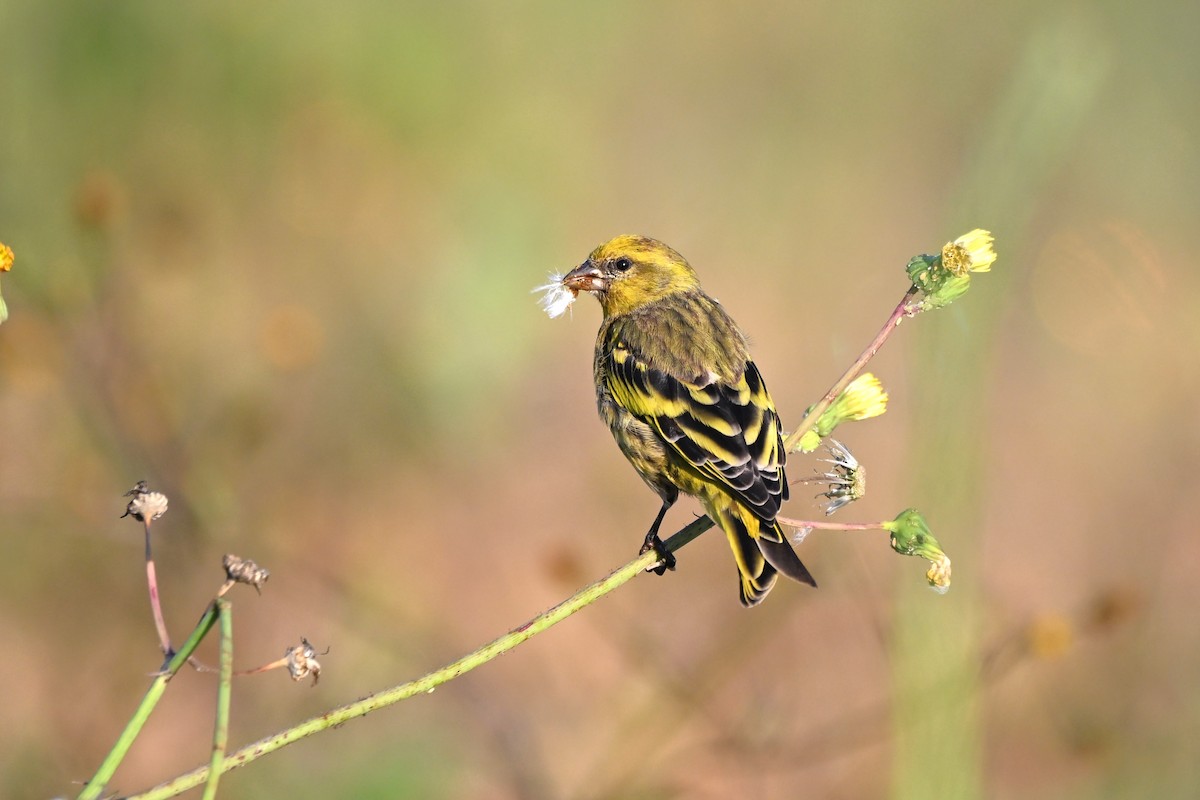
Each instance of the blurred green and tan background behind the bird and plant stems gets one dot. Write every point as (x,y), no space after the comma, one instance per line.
(277,261)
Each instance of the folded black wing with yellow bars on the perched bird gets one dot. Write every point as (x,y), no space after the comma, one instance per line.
(728,431)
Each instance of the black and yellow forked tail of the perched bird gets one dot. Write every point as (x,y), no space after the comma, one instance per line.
(761,554)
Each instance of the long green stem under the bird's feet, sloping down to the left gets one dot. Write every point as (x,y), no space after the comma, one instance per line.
(433,681)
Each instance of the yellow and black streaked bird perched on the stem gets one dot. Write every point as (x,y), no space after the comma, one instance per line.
(688,407)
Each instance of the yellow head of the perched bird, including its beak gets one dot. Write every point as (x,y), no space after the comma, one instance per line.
(632,272)
